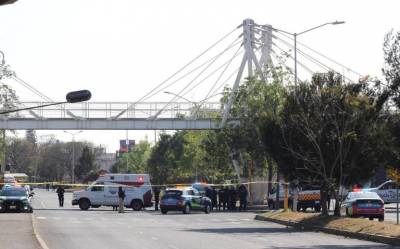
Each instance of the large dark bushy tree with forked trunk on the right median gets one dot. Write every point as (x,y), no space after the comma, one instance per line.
(332,131)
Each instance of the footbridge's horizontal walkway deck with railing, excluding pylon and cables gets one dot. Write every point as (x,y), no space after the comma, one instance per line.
(116,116)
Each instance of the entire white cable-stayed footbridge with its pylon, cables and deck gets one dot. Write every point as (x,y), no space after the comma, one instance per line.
(249,50)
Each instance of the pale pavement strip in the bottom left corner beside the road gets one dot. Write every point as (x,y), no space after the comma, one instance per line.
(16,231)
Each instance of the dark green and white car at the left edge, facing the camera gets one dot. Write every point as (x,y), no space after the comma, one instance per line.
(15,199)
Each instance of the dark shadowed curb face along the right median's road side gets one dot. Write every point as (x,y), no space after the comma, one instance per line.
(361,236)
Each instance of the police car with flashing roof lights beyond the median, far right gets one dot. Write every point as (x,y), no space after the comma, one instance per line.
(364,204)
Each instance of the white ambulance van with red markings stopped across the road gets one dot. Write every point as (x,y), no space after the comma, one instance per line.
(104,192)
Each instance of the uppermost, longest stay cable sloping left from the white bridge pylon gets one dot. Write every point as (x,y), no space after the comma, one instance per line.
(146,96)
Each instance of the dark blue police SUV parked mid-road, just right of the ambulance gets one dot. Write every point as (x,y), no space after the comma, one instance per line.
(184,200)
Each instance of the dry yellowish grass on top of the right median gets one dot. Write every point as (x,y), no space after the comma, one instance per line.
(359,225)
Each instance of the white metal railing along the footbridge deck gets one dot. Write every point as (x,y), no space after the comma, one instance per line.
(109,110)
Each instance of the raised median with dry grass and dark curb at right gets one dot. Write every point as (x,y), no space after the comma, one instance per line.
(349,227)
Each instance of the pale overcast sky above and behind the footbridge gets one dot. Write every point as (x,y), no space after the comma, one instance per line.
(120,49)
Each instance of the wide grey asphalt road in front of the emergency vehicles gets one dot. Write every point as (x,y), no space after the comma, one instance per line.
(100,228)
